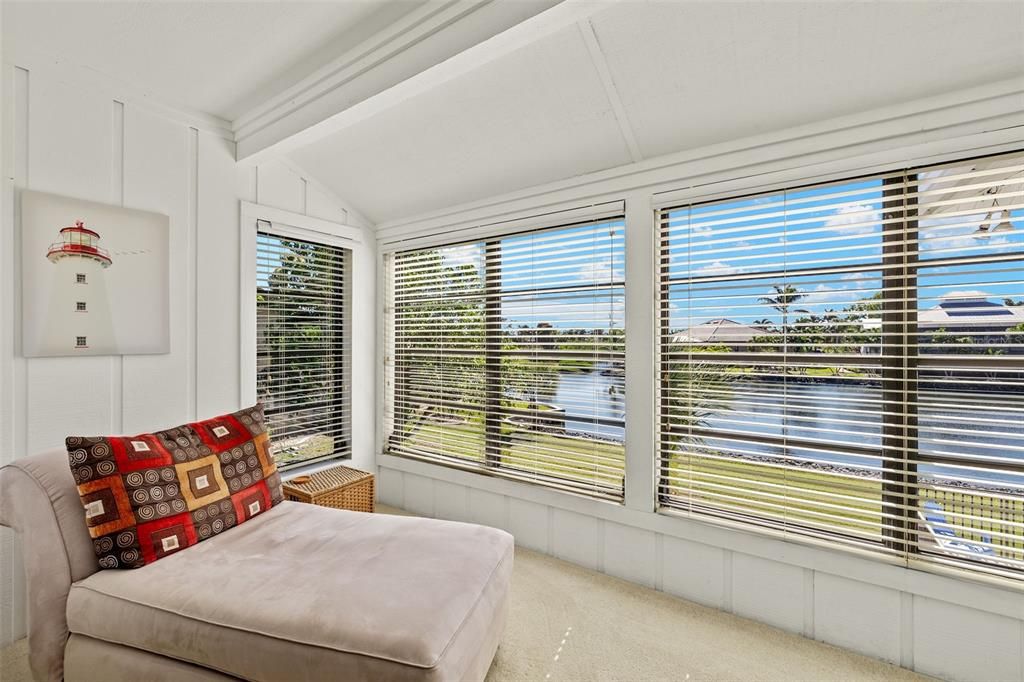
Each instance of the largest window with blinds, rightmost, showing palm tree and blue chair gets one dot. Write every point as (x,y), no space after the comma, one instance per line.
(846,361)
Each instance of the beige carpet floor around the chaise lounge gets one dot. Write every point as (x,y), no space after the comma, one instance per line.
(568,624)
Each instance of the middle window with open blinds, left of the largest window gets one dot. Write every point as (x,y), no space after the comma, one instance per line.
(506,356)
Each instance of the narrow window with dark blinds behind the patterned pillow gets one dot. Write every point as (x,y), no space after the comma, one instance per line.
(303,347)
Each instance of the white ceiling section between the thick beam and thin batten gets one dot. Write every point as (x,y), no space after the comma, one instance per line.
(535,116)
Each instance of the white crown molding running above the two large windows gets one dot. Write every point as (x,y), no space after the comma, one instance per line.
(909,133)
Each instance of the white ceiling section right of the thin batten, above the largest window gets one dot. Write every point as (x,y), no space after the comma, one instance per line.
(701,73)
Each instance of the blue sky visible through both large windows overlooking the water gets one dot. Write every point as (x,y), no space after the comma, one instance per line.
(838,225)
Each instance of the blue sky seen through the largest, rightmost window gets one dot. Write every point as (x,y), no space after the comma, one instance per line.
(838,225)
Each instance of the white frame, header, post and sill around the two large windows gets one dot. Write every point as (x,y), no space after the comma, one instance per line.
(976,122)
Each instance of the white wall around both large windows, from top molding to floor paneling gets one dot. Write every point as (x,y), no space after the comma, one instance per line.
(942,625)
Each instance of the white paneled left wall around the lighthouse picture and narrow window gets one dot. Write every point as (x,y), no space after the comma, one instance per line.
(98,142)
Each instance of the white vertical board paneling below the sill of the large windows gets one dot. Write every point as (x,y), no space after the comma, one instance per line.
(916,629)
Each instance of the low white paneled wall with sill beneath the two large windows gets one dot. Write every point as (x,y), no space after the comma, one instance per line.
(935,625)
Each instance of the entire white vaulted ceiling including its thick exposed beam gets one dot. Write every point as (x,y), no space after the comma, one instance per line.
(408,107)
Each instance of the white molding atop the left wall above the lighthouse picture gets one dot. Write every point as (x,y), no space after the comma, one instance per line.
(84,77)
